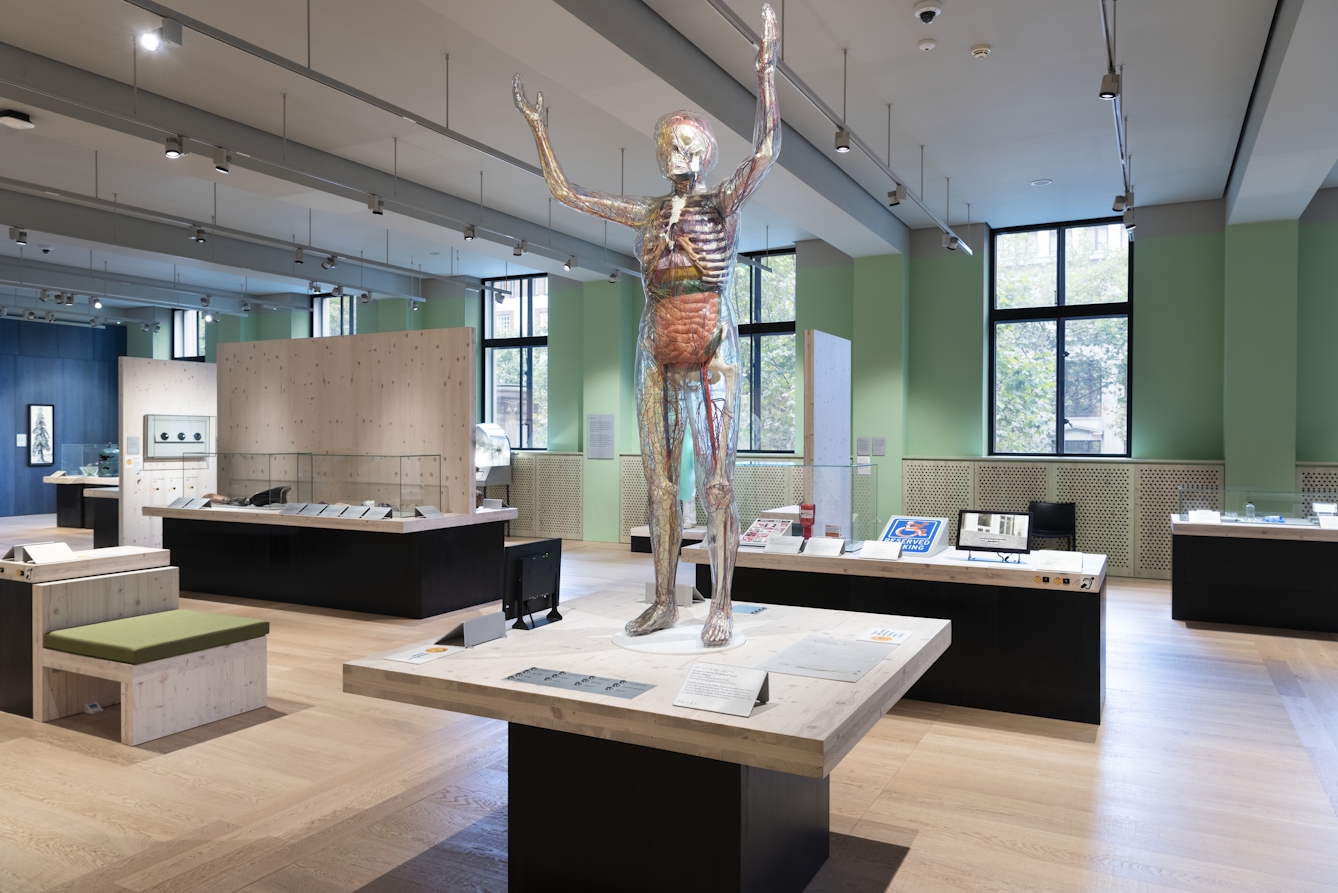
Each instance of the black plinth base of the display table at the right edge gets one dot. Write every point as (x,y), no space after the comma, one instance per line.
(1288,584)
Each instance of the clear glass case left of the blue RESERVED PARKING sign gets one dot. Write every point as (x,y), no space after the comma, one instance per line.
(845,496)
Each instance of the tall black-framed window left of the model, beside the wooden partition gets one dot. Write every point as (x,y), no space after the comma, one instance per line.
(516,359)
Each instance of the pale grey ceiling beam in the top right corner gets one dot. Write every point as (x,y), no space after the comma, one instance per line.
(1289,141)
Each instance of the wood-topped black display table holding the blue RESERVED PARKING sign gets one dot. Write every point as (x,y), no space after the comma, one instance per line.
(1026,641)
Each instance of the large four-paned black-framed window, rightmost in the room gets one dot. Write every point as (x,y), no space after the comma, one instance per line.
(1060,318)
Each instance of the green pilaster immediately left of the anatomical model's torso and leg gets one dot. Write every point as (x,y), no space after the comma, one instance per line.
(609,319)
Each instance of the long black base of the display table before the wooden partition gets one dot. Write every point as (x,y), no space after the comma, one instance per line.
(405,575)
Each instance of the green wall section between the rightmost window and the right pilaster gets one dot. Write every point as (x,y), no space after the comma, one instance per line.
(1178,345)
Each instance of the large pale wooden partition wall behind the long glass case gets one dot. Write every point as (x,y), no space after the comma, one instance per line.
(390,394)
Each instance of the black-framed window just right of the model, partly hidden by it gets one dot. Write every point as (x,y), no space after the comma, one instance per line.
(765,307)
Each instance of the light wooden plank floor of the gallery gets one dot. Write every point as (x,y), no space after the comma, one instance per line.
(1217,769)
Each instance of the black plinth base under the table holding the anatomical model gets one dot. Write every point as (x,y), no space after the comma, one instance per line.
(591,815)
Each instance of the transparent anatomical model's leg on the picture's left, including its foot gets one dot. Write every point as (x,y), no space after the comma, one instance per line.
(660,424)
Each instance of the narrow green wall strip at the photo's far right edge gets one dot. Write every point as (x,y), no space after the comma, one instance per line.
(1317,334)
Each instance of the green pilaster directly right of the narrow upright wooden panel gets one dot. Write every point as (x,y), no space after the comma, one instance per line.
(880,365)
